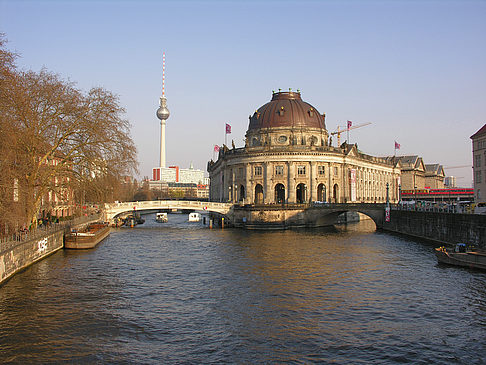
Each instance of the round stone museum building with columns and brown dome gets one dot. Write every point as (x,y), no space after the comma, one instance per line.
(287,159)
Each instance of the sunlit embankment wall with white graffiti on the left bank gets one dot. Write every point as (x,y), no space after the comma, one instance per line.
(19,255)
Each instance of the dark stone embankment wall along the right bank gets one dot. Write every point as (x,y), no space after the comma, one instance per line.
(444,228)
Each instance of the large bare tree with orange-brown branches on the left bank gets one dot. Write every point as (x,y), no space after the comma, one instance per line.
(61,138)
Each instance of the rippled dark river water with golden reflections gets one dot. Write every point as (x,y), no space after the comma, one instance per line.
(181,293)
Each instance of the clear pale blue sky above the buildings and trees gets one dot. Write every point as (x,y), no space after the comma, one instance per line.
(415,70)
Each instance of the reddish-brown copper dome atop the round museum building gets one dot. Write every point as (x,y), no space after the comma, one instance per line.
(286,109)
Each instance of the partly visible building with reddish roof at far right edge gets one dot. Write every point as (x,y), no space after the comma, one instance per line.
(479,164)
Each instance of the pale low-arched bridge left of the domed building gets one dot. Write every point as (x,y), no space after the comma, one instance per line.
(115,209)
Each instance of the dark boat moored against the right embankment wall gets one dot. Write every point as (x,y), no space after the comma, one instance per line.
(461,256)
